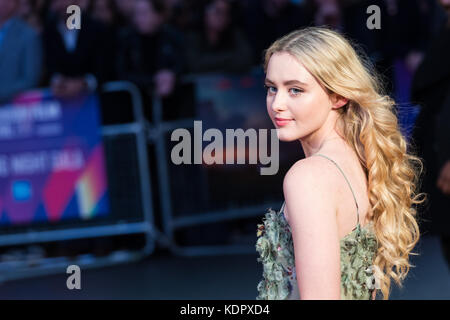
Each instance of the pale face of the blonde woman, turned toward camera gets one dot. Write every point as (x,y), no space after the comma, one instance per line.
(295,95)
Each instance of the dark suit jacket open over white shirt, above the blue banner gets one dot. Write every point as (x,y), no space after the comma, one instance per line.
(88,57)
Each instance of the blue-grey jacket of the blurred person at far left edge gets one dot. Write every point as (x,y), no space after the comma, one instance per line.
(20,59)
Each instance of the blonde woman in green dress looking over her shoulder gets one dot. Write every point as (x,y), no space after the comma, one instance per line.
(348,223)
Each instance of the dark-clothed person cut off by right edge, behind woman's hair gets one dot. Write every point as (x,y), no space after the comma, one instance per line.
(431,89)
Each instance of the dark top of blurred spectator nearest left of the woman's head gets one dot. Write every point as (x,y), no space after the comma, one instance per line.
(231,54)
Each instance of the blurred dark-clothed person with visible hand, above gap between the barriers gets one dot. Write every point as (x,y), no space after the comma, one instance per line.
(150,53)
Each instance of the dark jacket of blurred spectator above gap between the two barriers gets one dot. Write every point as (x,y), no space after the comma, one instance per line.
(141,57)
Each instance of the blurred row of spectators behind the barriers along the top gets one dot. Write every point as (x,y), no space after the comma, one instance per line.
(154,42)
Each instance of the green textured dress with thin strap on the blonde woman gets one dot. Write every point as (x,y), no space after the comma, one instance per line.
(276,253)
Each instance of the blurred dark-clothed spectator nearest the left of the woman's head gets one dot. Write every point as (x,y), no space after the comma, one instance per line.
(219,46)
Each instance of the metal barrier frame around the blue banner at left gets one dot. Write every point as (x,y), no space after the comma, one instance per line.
(14,269)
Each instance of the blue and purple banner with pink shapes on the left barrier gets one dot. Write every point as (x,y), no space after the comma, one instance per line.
(52,164)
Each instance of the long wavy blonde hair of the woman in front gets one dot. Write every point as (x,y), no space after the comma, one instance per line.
(371,129)
